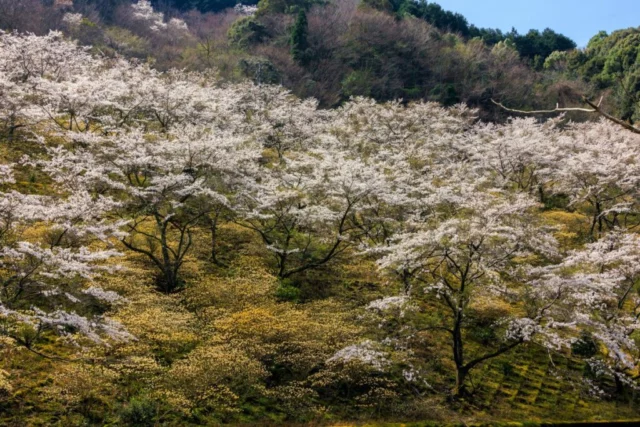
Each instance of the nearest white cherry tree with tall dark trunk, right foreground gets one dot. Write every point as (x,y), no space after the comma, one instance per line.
(463,258)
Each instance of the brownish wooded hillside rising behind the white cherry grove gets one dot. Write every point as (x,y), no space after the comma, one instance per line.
(329,51)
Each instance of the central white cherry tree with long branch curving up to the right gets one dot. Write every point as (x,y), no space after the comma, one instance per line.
(305,208)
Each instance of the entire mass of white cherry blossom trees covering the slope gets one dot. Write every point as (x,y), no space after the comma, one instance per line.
(448,206)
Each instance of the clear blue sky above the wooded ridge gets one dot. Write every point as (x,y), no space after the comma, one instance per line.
(577,19)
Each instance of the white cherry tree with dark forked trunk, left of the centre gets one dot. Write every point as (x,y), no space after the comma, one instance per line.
(165,184)
